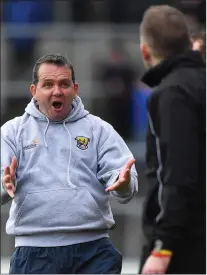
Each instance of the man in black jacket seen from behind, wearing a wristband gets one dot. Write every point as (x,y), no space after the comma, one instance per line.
(174,217)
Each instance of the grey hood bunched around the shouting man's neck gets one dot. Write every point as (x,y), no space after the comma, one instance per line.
(77,112)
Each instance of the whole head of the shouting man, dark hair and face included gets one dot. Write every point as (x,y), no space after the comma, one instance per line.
(53,86)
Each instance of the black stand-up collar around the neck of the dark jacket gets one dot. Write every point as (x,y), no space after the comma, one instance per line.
(190,59)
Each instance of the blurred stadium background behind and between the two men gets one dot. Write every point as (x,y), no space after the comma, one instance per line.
(101,38)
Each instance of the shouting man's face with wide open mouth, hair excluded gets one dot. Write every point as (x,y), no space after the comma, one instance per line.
(54,91)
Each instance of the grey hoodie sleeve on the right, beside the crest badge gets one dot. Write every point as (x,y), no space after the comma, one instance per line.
(113,155)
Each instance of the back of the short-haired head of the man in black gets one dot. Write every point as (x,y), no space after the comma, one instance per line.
(163,33)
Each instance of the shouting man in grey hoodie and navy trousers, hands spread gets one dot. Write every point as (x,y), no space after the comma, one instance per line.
(59,165)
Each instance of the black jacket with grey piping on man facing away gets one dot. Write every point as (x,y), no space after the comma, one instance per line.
(175,206)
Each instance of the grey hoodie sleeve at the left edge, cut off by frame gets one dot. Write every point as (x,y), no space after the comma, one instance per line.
(8,150)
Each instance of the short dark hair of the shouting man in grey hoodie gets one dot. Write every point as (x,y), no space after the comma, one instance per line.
(55,59)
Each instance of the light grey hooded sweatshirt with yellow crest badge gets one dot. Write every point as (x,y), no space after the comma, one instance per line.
(63,170)
